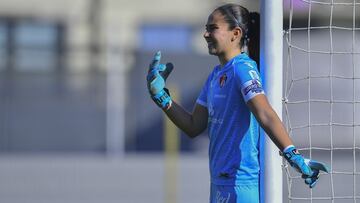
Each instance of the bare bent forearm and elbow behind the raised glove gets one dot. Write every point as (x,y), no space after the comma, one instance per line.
(191,123)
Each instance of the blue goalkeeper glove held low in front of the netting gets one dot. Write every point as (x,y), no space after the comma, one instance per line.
(309,169)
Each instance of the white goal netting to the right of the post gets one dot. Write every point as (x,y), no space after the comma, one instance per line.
(322,96)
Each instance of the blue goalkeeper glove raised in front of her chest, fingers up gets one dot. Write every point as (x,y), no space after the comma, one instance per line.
(156,79)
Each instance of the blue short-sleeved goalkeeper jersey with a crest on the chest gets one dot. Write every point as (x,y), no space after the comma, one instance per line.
(233,129)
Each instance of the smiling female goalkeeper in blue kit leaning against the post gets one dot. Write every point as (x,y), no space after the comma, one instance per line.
(232,105)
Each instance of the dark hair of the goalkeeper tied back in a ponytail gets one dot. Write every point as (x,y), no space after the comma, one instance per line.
(249,22)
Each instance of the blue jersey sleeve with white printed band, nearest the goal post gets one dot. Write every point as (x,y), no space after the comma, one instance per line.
(248,80)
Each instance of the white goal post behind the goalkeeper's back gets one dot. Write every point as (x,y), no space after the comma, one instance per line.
(271,62)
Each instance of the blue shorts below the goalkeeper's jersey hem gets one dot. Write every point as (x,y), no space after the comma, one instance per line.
(234,194)
